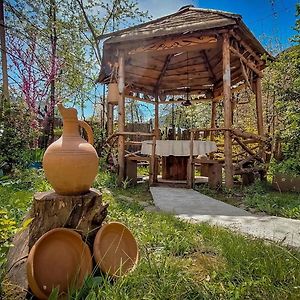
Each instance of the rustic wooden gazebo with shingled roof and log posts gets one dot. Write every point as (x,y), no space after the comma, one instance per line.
(207,53)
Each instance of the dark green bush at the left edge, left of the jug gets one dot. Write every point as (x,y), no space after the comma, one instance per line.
(17,135)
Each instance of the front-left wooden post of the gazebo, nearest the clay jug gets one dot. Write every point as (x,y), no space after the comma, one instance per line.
(121,121)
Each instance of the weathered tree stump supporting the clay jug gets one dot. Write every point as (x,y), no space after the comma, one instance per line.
(84,213)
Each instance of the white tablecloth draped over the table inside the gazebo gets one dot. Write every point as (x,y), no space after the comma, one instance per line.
(178,148)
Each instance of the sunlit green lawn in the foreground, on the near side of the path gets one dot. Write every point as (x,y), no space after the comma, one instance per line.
(178,260)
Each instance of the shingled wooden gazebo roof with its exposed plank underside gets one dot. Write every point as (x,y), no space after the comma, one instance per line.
(181,50)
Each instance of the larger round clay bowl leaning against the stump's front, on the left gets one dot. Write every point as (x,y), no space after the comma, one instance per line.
(58,259)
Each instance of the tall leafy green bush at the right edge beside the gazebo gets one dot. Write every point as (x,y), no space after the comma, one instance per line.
(283,83)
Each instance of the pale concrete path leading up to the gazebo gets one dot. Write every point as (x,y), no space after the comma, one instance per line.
(191,205)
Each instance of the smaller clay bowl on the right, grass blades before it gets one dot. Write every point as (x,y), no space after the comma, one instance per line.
(115,249)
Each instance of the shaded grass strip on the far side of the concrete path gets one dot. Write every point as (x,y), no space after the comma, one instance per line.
(259,197)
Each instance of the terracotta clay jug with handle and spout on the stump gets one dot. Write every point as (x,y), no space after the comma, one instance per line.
(71,163)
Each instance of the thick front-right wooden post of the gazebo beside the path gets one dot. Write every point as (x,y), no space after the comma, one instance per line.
(227,112)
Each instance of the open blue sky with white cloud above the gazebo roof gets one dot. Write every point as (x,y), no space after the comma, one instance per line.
(271,21)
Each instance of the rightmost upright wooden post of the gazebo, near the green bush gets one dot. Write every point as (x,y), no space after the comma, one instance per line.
(259,114)
